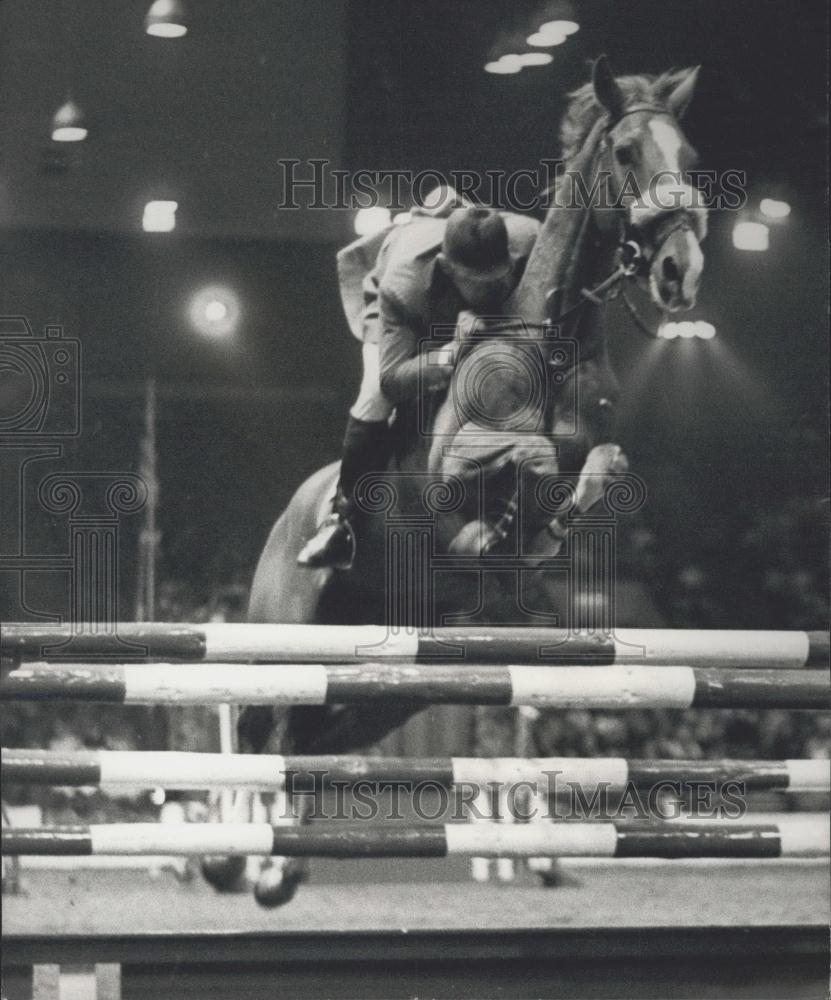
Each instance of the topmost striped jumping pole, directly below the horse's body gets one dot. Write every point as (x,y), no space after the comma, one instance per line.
(226,642)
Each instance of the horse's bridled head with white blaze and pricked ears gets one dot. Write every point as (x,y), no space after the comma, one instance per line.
(646,157)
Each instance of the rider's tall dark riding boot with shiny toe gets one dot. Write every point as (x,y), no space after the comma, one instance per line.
(366,447)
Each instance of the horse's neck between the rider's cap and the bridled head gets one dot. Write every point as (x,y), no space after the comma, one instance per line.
(559,258)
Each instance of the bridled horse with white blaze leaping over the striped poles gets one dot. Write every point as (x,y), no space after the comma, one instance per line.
(621,211)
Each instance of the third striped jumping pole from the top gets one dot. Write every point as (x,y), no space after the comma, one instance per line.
(263,773)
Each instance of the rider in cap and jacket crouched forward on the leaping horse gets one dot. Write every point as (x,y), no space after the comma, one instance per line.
(426,273)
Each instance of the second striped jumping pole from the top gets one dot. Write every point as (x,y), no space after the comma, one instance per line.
(615,687)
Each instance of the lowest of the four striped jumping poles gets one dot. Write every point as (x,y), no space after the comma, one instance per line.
(806,837)
